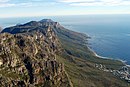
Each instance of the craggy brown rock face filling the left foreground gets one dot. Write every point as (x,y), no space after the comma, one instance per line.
(29,60)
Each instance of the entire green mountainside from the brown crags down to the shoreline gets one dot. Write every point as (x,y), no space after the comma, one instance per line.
(80,62)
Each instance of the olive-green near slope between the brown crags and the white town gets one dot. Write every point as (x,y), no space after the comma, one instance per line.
(84,74)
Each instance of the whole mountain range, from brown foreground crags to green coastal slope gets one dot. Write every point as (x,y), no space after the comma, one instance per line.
(45,54)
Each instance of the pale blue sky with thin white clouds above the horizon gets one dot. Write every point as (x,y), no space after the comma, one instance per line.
(26,8)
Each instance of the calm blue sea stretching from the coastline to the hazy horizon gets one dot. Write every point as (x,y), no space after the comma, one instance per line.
(110,34)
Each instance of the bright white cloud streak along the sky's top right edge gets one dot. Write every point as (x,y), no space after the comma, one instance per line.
(96,2)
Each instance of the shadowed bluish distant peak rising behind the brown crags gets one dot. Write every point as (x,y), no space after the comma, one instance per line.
(32,26)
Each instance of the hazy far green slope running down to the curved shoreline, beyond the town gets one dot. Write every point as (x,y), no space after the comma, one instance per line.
(78,48)
